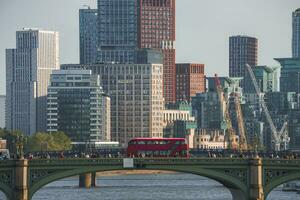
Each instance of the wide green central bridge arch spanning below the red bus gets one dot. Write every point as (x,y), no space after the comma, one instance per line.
(237,188)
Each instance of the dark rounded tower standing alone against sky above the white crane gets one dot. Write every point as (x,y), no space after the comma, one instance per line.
(242,50)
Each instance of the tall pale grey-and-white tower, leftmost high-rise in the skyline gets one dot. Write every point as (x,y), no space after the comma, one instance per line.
(28,69)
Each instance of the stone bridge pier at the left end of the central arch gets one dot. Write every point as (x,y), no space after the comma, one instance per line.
(21,182)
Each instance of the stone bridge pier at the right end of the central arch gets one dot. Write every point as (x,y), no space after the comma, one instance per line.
(256,188)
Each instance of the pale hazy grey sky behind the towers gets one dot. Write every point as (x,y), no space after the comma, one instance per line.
(202,28)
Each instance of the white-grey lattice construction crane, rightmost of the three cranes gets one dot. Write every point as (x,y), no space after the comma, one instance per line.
(277,137)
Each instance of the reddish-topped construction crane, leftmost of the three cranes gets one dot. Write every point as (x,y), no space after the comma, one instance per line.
(230,132)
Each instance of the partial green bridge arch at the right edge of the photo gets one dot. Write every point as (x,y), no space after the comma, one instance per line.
(280,180)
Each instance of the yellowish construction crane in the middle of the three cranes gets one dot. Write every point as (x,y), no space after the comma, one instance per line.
(240,121)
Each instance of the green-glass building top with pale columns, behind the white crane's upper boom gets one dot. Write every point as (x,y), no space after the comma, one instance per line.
(266,77)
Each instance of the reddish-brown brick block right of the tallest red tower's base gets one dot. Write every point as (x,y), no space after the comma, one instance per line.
(190,80)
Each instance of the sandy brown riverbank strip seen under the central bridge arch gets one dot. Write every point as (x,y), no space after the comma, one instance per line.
(130,172)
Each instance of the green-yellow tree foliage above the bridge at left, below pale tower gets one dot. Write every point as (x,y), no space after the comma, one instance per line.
(57,141)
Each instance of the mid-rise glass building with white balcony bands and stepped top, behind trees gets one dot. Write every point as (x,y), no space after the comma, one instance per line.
(77,106)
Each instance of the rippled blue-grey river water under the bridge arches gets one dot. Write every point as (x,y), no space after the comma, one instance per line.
(174,186)
